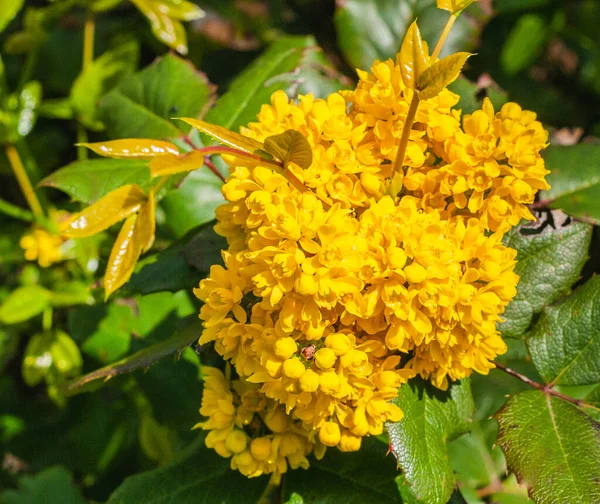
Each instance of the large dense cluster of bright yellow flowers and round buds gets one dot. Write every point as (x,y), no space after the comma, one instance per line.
(331,299)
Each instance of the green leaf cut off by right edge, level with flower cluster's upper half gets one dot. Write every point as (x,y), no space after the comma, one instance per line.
(574,179)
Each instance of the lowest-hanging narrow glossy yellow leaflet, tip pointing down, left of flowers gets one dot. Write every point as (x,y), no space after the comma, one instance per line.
(123,256)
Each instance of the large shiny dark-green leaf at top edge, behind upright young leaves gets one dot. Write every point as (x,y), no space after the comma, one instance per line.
(374,29)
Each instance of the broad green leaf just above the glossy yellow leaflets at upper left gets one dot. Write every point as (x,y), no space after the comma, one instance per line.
(144,105)
